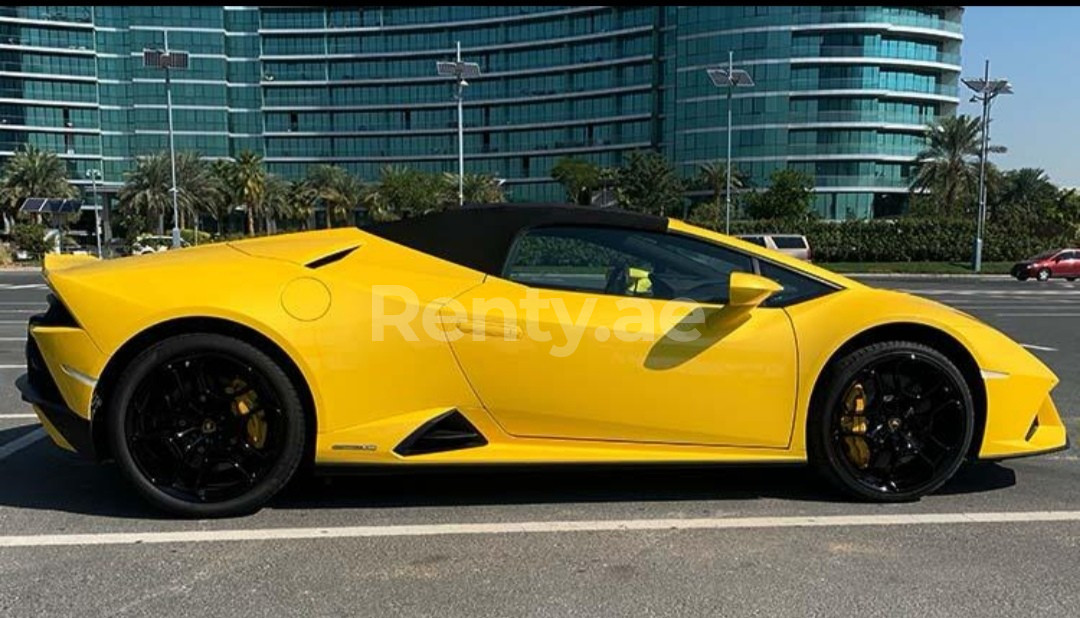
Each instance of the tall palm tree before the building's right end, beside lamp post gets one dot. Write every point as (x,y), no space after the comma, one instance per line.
(949,167)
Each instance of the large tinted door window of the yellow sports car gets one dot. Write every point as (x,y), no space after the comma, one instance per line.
(626,263)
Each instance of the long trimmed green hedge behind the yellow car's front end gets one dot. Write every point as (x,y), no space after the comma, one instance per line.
(910,239)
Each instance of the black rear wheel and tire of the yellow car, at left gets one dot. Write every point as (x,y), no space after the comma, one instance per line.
(220,454)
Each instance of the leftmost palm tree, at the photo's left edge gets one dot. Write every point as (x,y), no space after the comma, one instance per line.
(33,173)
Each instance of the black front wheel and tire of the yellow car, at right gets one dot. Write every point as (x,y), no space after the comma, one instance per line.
(917,465)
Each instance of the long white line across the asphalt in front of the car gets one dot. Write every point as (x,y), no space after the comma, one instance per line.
(535,528)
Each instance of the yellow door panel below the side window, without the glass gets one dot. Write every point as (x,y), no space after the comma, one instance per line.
(733,387)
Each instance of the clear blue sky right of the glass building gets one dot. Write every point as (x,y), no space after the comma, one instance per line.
(1037,49)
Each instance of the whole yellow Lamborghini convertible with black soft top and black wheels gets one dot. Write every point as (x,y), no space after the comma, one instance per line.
(526,334)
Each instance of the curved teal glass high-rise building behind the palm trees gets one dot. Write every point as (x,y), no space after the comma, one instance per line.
(841,92)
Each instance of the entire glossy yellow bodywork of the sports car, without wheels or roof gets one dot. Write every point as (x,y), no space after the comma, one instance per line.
(742,394)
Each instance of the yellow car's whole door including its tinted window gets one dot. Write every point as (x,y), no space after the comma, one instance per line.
(590,332)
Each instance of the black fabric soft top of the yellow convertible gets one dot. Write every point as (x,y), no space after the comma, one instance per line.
(480,237)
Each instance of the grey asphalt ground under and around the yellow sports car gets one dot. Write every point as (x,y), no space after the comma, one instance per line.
(715,542)
